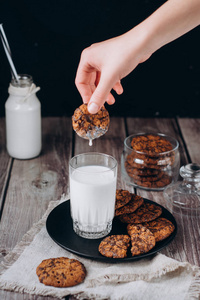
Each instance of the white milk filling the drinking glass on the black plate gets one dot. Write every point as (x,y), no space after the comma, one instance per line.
(92,197)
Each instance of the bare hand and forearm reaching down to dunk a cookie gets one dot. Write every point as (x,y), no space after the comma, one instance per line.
(103,65)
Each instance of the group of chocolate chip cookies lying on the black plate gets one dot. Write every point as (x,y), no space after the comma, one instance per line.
(145,227)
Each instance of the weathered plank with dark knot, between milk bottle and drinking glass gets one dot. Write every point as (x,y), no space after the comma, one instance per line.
(34,183)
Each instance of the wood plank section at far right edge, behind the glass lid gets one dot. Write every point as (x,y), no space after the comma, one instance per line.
(190,129)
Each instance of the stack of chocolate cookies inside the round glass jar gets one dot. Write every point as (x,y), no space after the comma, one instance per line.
(150,161)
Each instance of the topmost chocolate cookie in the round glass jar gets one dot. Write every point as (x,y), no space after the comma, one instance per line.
(151,144)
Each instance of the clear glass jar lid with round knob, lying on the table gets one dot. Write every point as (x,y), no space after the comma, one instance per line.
(184,196)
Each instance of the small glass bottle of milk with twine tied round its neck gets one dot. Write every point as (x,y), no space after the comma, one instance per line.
(23,119)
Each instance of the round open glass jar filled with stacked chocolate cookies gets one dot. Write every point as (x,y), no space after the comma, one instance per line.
(150,169)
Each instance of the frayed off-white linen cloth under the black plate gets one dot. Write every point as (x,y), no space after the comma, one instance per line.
(154,277)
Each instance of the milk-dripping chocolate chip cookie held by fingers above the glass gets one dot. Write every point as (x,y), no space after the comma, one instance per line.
(90,126)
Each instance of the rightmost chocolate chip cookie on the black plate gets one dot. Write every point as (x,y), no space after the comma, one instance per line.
(161,228)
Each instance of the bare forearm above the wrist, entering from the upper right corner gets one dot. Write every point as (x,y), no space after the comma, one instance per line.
(173,19)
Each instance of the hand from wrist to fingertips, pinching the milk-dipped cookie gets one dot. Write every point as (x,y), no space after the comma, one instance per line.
(103,65)
